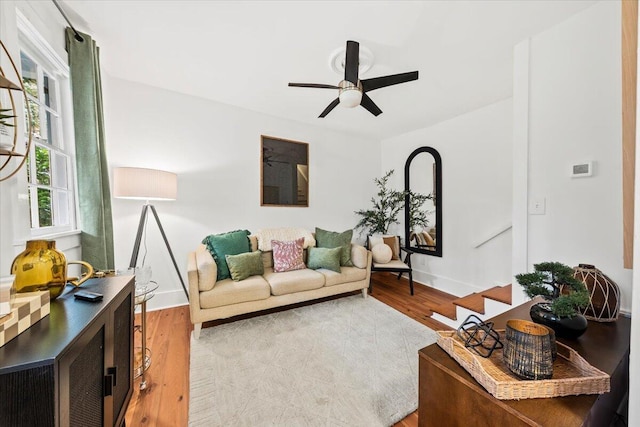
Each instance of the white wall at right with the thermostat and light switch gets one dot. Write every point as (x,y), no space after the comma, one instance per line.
(574,115)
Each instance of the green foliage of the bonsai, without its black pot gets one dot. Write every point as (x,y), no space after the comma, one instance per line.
(555,281)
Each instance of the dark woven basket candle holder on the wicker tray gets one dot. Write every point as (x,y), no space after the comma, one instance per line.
(528,350)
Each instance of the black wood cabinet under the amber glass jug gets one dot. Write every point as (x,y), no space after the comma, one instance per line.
(75,366)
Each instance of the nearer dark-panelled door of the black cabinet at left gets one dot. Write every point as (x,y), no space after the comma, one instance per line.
(81,378)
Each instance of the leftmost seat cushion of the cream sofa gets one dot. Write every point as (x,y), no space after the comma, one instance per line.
(227,292)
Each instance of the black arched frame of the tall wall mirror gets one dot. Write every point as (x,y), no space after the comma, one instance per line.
(438,202)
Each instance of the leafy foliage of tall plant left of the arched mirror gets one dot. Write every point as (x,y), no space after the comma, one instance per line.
(386,208)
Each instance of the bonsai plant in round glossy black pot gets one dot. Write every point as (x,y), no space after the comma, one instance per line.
(565,295)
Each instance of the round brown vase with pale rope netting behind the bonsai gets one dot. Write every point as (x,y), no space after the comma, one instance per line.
(604,300)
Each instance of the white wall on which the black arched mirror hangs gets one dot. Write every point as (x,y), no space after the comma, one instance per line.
(476,196)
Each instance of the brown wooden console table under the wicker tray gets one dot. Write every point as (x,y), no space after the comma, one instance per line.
(449,396)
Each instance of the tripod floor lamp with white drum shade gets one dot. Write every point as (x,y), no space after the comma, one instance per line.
(147,184)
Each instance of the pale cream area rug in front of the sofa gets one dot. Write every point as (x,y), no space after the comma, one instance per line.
(347,362)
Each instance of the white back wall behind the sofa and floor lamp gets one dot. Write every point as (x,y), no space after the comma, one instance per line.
(215,150)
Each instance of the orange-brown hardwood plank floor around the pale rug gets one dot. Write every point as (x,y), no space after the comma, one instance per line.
(165,401)
